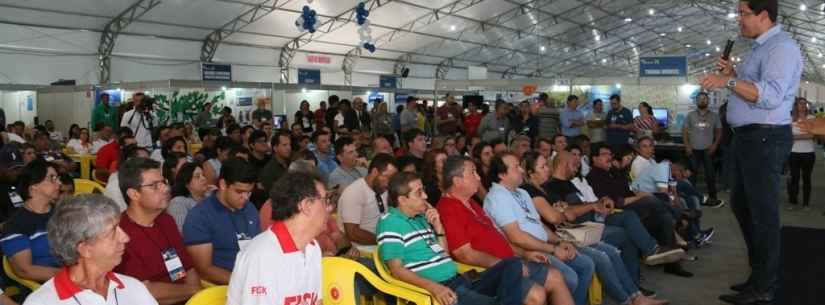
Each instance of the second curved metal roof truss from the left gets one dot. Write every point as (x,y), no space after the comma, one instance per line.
(254,13)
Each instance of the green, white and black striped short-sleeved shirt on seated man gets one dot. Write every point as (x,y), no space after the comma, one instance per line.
(410,240)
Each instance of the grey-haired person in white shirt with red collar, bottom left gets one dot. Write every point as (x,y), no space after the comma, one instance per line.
(88,243)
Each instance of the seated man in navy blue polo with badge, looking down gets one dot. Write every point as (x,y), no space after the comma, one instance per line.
(223,224)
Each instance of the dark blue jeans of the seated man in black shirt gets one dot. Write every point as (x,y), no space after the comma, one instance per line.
(625,231)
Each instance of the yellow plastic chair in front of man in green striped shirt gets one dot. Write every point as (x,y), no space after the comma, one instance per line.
(338,283)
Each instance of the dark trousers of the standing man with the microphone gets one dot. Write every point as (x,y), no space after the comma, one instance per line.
(757,156)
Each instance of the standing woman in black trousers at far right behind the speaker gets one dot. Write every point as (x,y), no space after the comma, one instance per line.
(802,158)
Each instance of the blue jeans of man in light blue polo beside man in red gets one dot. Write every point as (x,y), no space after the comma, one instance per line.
(578,273)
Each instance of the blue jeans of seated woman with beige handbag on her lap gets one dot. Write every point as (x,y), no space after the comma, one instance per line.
(612,272)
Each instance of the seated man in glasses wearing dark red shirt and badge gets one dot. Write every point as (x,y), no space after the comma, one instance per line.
(155,253)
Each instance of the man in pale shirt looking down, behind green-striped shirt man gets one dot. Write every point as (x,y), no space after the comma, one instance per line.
(364,201)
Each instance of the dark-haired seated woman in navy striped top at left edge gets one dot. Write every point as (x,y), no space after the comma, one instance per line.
(24,239)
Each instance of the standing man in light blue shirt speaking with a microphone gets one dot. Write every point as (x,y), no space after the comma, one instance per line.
(762,91)
